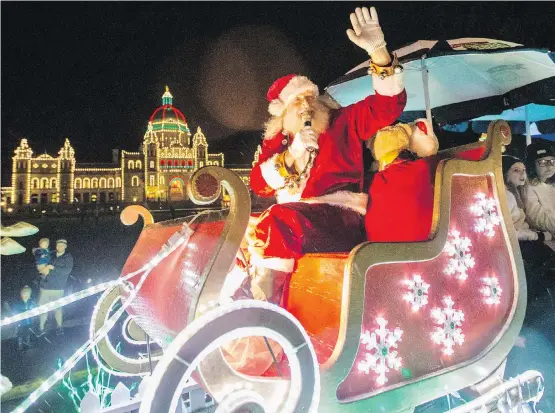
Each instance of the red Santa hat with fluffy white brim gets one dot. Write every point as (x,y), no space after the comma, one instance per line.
(284,90)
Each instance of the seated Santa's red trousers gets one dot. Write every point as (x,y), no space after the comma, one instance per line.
(287,231)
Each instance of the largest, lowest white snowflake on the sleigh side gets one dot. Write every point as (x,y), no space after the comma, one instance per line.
(381,342)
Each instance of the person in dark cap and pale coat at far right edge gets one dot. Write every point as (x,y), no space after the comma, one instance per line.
(540,202)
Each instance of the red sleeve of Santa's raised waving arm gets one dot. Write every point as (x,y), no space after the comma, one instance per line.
(375,112)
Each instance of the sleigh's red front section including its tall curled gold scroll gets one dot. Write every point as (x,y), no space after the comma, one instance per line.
(187,280)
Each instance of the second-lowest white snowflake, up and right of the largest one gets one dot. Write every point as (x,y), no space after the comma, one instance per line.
(450,320)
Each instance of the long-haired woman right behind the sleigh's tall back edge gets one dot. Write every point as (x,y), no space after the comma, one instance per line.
(517,189)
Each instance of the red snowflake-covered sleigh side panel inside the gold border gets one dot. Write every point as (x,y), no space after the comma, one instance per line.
(424,317)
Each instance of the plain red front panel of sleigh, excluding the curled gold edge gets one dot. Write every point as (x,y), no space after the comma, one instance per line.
(164,304)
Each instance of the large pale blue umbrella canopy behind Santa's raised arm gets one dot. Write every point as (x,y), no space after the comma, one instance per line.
(465,78)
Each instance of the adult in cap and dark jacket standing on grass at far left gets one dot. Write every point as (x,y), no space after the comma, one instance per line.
(52,286)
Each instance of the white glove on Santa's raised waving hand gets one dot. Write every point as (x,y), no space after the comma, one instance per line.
(366,32)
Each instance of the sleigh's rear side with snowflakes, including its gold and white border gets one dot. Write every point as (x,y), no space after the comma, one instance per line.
(422,319)
